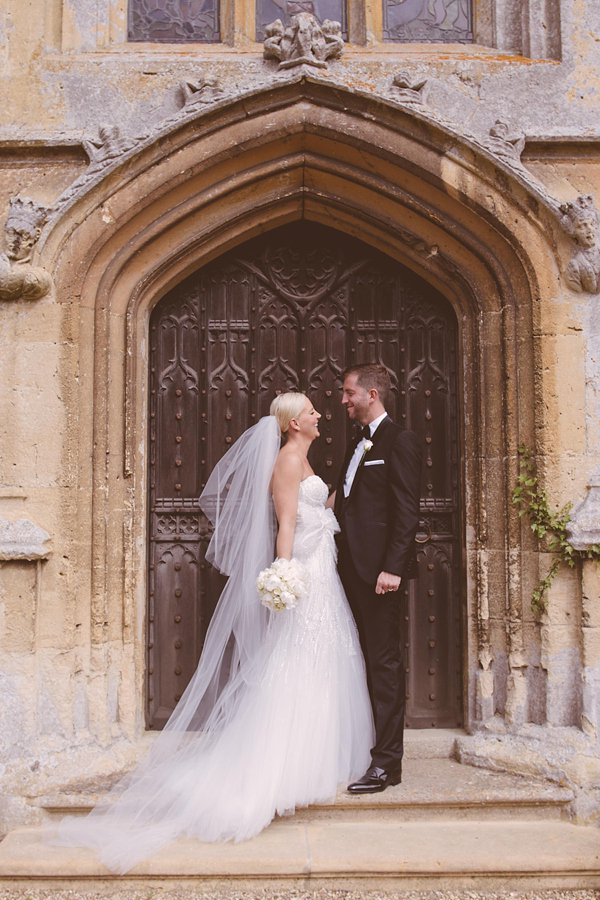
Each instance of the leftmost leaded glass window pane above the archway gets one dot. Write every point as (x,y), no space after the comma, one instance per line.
(174,21)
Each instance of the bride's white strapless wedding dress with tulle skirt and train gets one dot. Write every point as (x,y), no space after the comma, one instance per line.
(303,727)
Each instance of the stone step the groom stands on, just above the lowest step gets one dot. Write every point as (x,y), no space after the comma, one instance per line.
(431,788)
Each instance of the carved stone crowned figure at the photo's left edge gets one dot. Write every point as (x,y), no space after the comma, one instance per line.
(19,280)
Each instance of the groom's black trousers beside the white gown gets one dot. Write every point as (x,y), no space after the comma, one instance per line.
(380,621)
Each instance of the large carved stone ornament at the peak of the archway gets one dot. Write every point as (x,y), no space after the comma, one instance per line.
(303,42)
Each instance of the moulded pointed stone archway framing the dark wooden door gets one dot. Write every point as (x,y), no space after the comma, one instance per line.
(400,183)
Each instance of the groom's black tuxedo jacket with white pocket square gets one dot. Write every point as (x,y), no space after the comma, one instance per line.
(379,519)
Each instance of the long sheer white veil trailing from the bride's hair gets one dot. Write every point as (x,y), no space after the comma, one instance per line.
(147,807)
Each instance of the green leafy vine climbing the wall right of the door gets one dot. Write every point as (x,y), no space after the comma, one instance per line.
(548,526)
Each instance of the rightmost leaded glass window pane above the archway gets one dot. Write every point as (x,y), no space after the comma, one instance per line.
(418,21)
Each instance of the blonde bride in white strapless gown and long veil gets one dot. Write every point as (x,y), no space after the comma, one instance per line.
(277,714)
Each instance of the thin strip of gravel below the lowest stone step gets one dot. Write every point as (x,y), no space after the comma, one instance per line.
(265,894)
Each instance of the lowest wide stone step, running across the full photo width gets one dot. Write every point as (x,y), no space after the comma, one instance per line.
(426,855)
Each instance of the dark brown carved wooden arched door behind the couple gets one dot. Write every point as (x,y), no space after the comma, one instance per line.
(289,310)
